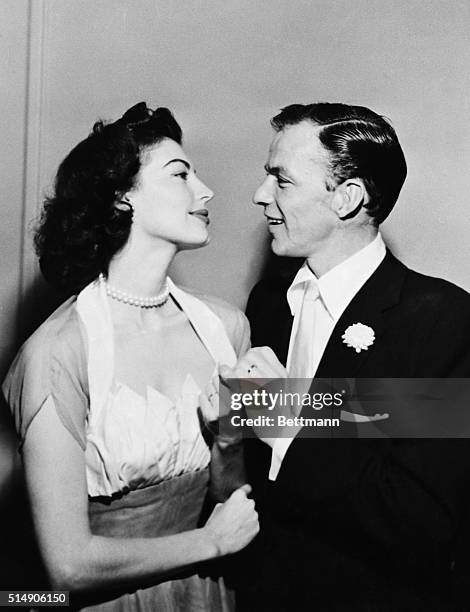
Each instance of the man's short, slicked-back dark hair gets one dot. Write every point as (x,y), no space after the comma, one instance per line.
(360,144)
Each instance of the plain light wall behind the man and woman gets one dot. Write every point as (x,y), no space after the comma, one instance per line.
(224,68)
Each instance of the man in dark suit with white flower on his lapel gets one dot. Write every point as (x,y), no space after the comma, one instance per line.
(351,524)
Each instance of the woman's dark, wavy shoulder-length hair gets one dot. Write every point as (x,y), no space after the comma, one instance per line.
(80,228)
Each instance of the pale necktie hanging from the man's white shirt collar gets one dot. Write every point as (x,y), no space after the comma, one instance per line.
(302,349)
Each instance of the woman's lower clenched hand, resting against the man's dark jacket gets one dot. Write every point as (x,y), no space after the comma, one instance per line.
(233,524)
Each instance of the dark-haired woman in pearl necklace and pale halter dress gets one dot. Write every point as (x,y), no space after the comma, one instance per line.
(106,393)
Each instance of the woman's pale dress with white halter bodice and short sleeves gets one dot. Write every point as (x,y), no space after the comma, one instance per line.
(146,458)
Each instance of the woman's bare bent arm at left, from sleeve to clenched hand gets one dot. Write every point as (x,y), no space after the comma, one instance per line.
(75,558)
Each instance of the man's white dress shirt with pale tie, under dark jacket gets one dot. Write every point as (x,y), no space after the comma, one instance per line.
(335,290)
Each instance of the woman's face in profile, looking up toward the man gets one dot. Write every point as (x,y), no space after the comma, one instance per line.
(169,200)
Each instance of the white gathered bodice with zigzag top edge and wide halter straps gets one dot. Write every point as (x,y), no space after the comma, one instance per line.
(132,440)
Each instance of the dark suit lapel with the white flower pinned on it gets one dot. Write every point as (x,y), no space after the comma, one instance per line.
(380,292)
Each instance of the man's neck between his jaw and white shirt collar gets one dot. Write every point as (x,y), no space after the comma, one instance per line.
(339,249)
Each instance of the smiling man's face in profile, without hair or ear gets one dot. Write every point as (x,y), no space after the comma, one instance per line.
(297,203)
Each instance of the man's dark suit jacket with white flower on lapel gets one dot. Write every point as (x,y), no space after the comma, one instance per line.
(355,524)
